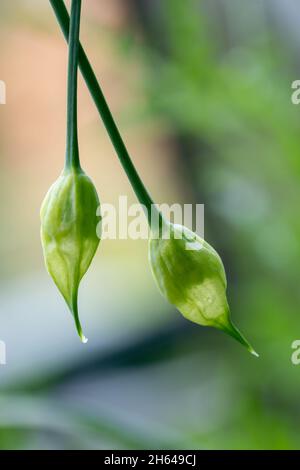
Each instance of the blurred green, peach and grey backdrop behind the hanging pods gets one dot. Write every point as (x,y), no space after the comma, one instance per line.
(202,94)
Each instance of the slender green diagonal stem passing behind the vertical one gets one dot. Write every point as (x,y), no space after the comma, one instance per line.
(104,111)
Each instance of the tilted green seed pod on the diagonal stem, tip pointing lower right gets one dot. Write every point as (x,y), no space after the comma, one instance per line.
(191,275)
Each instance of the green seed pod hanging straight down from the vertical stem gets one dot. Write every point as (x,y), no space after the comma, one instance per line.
(68,231)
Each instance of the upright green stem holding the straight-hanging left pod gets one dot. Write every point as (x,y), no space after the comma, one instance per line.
(72,151)
